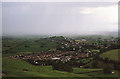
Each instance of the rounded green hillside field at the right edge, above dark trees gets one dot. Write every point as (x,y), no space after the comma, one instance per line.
(112,55)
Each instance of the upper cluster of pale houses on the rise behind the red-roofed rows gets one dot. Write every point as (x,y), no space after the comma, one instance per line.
(77,45)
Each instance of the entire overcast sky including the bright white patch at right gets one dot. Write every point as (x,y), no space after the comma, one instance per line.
(37,18)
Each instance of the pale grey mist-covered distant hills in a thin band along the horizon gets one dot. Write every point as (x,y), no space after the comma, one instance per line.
(114,34)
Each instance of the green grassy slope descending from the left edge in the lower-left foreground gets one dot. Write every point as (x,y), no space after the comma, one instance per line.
(14,68)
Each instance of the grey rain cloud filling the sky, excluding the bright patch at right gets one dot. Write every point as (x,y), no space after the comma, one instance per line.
(49,18)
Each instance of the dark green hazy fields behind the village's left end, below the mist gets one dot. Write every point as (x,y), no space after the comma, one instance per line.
(27,45)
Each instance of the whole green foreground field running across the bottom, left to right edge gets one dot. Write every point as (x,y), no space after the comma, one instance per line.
(14,68)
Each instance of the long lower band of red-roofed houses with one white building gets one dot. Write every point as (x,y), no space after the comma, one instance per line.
(64,56)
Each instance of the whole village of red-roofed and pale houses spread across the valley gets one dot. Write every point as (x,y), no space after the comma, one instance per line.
(65,51)
